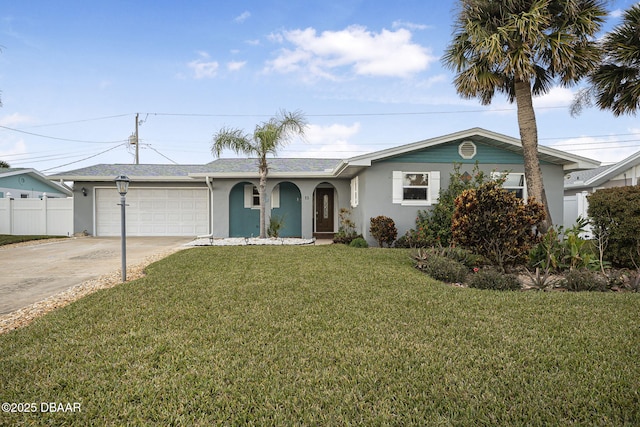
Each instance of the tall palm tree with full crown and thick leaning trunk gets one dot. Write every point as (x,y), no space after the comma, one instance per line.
(521,48)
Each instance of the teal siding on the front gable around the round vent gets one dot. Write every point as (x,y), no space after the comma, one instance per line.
(448,153)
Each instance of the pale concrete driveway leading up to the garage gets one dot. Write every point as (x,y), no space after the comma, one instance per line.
(29,274)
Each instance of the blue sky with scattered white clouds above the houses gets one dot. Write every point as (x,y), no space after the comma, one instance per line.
(367,74)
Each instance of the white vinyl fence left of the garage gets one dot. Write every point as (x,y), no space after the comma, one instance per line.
(46,216)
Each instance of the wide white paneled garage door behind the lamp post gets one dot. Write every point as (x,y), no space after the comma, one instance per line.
(154,212)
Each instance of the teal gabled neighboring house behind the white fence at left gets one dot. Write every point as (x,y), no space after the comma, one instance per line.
(22,183)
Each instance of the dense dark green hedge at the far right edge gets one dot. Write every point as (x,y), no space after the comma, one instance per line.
(615,214)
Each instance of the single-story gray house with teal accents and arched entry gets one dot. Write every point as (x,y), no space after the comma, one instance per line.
(220,198)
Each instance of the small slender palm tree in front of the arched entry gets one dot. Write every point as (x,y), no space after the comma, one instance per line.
(267,138)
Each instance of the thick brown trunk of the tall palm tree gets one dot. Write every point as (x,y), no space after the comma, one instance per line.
(529,139)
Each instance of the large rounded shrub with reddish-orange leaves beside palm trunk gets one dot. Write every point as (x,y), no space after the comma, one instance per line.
(494,222)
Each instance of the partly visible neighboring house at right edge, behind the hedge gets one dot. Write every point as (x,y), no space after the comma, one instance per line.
(578,185)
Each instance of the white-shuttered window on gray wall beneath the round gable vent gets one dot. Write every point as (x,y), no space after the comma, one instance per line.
(416,188)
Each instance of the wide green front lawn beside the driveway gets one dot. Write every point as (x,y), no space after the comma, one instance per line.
(325,335)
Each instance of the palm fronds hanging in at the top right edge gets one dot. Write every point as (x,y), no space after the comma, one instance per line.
(615,85)
